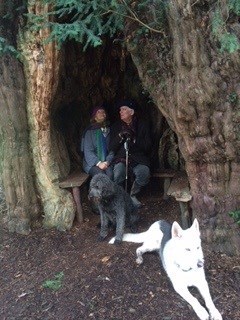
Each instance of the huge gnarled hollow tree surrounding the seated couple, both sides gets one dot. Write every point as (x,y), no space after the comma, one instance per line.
(187,56)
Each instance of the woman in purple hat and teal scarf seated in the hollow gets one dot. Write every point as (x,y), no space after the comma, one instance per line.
(97,158)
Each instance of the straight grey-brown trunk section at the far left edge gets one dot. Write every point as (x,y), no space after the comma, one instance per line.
(16,161)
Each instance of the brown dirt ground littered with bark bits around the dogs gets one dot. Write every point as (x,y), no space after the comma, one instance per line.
(69,275)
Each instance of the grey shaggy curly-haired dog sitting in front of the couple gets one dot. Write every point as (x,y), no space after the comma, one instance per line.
(114,205)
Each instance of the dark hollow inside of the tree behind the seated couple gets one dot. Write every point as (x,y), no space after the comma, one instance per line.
(103,76)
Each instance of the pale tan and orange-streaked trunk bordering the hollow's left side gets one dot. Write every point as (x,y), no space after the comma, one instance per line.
(50,157)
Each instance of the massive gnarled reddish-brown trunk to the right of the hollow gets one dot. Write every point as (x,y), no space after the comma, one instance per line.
(191,84)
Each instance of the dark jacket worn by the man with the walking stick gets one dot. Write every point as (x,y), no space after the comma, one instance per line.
(139,147)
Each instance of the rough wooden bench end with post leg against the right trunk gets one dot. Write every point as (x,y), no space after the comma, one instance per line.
(179,189)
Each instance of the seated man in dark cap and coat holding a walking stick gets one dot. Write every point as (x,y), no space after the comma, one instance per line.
(130,133)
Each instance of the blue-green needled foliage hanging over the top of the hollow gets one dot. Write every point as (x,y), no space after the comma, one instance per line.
(85,21)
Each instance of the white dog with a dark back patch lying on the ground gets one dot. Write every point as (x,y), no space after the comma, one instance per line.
(182,258)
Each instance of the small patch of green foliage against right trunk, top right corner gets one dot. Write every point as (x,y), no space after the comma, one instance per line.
(229,42)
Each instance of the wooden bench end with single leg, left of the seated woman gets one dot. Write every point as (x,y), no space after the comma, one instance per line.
(75,181)
